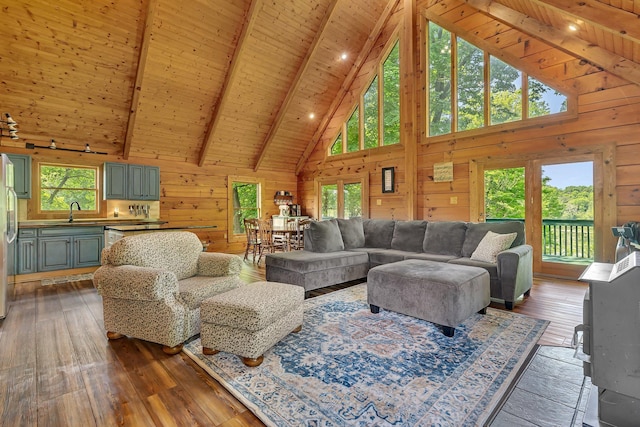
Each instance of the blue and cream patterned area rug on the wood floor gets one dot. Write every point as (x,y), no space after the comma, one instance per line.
(351,367)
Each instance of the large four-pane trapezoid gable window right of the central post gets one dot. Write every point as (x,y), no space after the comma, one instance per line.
(469,89)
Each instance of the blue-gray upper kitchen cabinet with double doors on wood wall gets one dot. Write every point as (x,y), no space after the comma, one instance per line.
(131,182)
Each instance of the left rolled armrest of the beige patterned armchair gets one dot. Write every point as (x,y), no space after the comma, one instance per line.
(135,283)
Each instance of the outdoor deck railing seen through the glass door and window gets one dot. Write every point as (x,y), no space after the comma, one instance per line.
(565,238)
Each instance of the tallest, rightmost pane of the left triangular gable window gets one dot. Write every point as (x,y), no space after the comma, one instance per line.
(391,97)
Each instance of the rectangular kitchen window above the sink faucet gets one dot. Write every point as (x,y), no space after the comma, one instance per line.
(61,185)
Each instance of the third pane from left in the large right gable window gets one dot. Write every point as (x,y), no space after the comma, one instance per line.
(506,92)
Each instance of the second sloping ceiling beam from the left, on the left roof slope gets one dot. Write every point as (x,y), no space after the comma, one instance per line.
(229,79)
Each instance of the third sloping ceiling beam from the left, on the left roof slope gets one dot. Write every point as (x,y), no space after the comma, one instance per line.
(296,83)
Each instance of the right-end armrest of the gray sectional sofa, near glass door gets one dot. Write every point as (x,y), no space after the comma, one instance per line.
(515,270)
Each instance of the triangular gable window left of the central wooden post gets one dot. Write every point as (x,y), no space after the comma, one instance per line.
(375,120)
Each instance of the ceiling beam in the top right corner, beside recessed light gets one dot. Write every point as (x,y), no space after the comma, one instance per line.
(607,18)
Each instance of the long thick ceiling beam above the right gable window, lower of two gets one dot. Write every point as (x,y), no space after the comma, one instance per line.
(601,57)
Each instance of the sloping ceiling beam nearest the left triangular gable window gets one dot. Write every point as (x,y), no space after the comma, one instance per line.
(346,84)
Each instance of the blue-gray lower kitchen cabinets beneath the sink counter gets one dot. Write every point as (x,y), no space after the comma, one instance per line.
(59,248)
